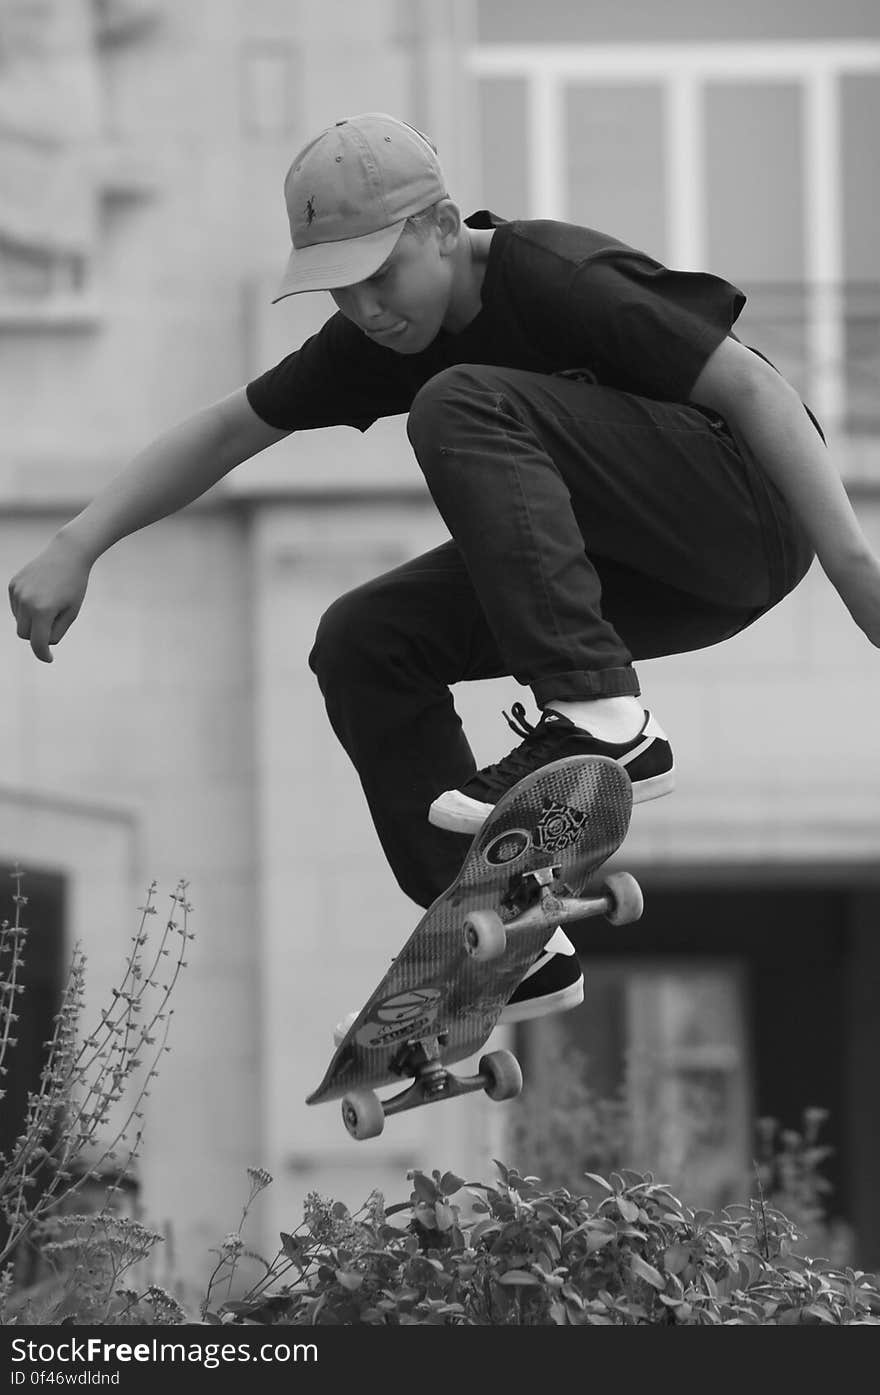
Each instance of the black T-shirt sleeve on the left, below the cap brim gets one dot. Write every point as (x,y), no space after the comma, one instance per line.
(337,377)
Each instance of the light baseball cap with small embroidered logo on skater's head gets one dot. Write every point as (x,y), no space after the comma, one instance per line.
(349,193)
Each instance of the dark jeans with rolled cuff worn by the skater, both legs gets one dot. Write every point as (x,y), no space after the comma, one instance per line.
(589,528)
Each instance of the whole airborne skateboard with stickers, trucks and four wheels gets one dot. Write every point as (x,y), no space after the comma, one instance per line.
(526,873)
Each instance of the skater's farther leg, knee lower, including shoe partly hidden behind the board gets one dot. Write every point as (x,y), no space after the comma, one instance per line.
(386,656)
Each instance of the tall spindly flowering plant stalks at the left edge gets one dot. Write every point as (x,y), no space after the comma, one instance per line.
(84,1125)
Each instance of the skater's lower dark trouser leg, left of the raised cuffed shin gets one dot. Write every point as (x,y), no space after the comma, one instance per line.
(386,656)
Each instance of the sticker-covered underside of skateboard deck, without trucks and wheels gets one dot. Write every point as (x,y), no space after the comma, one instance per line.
(570,817)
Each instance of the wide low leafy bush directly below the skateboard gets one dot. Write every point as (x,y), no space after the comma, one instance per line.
(517,1255)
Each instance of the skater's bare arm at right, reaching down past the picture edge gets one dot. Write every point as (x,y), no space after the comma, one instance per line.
(766,412)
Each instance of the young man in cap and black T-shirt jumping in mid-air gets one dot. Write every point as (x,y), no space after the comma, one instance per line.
(620,476)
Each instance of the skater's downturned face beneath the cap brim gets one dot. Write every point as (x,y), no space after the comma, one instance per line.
(404,305)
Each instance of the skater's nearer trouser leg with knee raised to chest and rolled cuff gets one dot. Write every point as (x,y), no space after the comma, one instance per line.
(539,476)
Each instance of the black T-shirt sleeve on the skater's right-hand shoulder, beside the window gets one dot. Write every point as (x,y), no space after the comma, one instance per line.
(646,330)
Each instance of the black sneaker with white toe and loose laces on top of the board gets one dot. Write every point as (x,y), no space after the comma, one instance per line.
(648,761)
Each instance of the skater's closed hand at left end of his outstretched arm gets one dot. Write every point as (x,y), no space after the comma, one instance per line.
(47,595)
